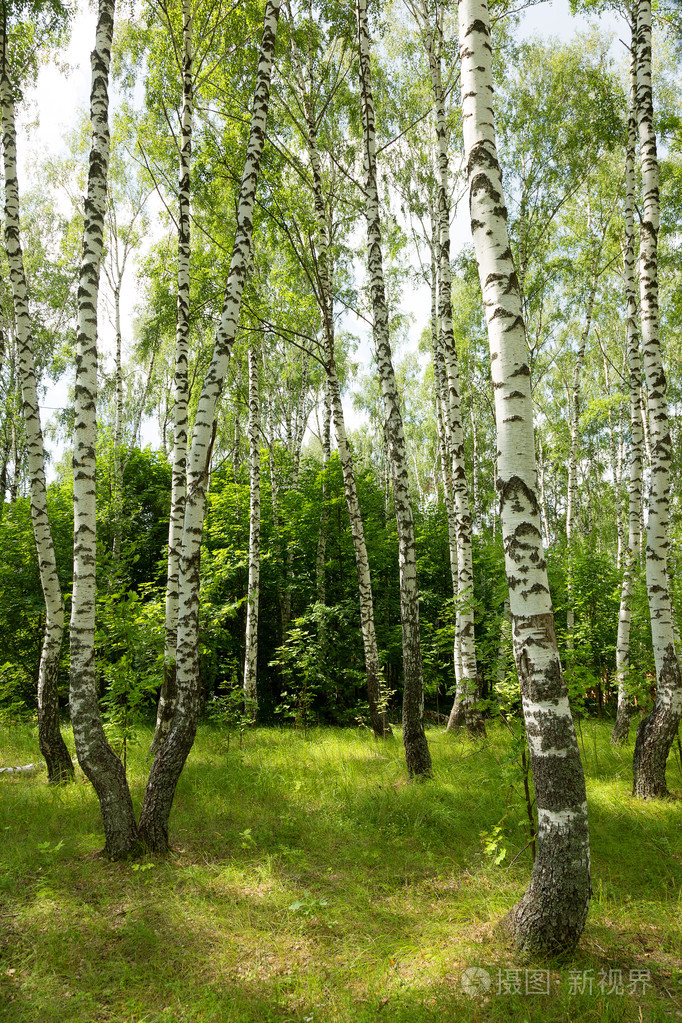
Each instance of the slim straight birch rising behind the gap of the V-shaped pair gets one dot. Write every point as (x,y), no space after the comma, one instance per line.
(168,694)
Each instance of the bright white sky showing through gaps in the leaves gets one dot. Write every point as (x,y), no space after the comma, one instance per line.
(61,98)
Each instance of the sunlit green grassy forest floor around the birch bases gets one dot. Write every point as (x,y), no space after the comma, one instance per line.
(311,882)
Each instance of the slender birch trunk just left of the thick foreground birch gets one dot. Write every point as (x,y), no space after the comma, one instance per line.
(465,711)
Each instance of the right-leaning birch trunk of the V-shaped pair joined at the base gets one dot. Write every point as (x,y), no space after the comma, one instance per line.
(171,758)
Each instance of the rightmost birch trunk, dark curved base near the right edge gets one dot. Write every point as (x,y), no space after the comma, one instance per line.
(657,733)
